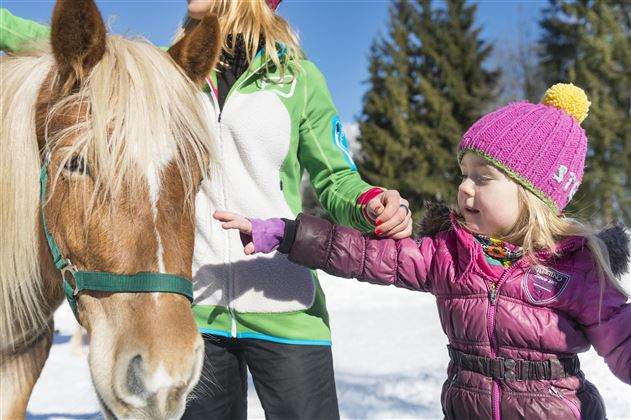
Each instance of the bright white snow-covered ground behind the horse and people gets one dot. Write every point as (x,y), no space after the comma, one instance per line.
(389,353)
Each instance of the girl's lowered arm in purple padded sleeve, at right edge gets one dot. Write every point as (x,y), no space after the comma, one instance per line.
(608,326)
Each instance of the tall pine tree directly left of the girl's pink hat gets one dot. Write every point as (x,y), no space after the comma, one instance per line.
(427,86)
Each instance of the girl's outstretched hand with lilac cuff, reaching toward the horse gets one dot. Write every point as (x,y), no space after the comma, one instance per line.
(256,235)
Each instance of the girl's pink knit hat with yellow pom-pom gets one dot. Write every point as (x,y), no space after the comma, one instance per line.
(541,146)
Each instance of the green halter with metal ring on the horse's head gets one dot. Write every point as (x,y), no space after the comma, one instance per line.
(102,281)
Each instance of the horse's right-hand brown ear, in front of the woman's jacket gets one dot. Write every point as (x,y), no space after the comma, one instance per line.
(198,51)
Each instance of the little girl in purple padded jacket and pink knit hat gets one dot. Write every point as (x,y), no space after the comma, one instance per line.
(520,289)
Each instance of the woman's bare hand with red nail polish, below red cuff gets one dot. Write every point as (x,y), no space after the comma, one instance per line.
(391,214)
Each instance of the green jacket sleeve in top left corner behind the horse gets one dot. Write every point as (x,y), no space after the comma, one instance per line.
(16,32)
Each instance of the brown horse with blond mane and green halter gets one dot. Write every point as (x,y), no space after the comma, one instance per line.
(104,143)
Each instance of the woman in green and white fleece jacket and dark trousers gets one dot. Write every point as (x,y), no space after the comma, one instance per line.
(274,118)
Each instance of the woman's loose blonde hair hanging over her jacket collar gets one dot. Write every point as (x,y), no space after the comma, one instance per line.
(255,21)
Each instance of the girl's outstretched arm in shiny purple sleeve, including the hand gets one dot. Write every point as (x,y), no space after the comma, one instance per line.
(338,250)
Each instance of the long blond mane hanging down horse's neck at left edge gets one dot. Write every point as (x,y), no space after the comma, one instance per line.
(21,290)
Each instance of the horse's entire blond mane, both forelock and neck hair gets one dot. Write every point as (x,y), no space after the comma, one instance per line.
(137,102)
